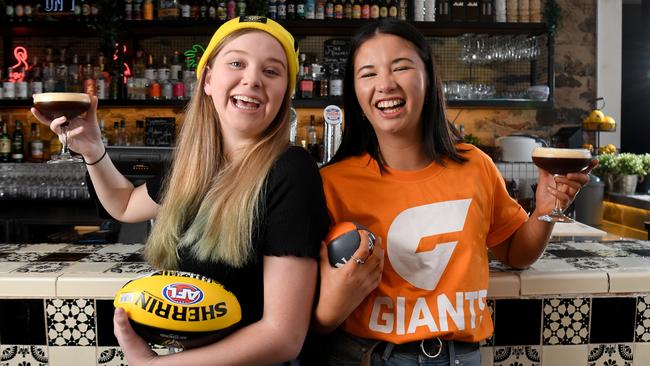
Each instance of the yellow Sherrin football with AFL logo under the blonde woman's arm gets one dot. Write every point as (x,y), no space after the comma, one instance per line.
(179,309)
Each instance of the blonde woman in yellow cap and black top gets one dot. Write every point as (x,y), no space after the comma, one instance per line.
(239,206)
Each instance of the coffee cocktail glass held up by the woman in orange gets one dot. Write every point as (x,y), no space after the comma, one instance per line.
(560,162)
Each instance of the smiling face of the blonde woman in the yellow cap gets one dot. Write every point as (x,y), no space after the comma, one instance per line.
(247,81)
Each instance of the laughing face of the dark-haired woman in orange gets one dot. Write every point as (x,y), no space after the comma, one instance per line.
(390,82)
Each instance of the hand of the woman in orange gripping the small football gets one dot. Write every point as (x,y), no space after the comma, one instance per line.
(343,289)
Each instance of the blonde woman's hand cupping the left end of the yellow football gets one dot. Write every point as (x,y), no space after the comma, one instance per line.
(136,350)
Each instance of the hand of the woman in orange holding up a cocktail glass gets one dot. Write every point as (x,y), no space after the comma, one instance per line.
(563,187)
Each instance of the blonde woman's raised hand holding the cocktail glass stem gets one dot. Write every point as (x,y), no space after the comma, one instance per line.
(84,136)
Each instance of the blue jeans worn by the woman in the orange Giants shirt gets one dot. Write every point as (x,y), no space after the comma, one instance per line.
(343,349)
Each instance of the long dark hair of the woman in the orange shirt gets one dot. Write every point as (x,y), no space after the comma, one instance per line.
(439,137)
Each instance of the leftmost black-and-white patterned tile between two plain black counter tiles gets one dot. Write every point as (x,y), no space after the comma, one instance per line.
(71,322)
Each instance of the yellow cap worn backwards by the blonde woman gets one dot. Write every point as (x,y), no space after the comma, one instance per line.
(267,25)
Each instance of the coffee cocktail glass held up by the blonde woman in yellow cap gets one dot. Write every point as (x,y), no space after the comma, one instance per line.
(70,105)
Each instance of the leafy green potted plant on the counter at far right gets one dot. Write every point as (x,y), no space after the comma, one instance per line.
(620,171)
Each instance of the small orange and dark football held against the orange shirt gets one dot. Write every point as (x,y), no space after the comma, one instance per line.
(343,240)
